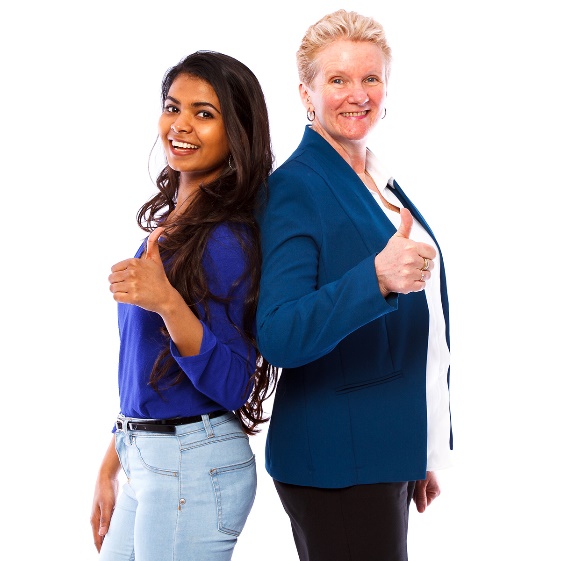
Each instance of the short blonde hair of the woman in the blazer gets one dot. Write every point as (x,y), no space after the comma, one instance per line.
(338,25)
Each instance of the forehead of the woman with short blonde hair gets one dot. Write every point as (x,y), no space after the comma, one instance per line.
(346,57)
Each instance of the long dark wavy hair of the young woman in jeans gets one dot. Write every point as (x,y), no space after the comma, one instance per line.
(231,198)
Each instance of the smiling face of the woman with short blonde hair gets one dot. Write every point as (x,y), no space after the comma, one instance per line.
(349,91)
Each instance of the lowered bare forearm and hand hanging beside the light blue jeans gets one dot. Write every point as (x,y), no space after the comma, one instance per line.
(105,493)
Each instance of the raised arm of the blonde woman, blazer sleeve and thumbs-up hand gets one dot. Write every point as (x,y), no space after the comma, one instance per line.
(299,321)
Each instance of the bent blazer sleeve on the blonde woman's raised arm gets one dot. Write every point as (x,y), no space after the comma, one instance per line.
(303,314)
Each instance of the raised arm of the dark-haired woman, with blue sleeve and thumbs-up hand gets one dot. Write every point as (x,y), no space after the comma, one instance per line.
(210,351)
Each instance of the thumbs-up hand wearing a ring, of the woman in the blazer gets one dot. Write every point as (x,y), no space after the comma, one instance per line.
(404,265)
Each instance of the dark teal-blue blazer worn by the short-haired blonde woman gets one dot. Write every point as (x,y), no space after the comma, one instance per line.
(350,406)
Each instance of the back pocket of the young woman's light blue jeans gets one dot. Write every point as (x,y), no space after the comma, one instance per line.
(234,490)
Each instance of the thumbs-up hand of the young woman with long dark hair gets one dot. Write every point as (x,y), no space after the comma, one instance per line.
(143,281)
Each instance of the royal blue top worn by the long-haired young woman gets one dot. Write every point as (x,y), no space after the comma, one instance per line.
(214,379)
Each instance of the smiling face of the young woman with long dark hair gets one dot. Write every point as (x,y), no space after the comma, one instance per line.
(192,130)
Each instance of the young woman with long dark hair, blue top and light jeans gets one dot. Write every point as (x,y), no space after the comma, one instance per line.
(191,380)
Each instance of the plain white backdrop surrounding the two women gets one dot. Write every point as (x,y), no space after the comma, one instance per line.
(472,134)
